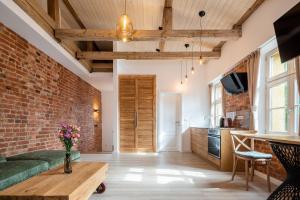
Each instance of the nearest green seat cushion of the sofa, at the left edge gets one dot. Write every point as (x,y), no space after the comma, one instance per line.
(12,172)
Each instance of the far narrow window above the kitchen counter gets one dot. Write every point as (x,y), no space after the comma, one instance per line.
(216,104)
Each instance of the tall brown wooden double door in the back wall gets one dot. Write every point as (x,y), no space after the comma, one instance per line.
(137,96)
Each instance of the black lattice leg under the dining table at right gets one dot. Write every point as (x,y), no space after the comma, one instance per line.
(289,156)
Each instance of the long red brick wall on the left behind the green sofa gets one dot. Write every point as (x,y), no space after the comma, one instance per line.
(36,95)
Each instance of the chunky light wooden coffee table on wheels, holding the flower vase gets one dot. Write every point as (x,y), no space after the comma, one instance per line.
(87,177)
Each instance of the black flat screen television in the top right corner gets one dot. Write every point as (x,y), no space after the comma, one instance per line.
(287,30)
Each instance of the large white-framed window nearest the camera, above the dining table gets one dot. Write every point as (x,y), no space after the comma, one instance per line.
(282,95)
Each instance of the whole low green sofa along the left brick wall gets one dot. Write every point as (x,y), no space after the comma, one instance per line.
(18,168)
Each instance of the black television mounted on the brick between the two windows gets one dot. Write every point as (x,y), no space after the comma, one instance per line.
(235,83)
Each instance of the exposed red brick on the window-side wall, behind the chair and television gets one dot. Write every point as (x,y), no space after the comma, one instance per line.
(241,102)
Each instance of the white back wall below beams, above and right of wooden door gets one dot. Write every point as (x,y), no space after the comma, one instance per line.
(194,92)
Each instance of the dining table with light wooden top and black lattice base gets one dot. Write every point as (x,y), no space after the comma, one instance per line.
(287,150)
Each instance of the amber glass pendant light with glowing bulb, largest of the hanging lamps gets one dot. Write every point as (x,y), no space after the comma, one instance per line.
(124,27)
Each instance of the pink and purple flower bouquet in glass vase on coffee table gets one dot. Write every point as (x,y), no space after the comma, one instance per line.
(69,136)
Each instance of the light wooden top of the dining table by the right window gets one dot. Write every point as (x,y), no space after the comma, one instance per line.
(281,138)
